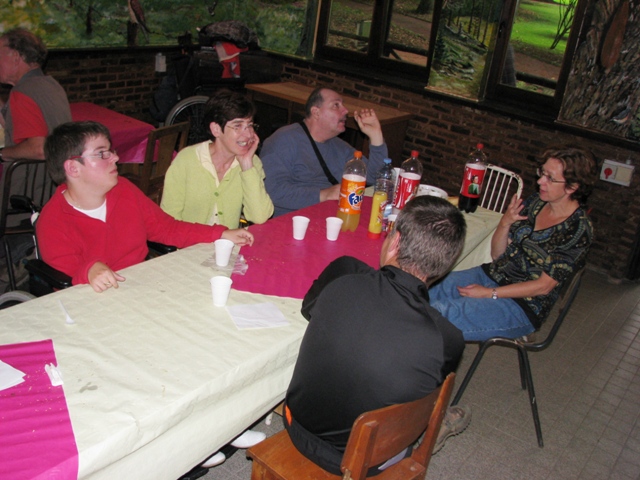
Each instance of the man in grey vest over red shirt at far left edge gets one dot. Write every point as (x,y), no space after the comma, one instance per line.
(37,103)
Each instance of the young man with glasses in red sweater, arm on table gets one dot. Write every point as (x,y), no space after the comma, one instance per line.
(97,223)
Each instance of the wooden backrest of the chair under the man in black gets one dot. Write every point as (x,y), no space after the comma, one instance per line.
(380,434)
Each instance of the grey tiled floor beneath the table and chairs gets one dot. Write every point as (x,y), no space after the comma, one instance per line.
(588,389)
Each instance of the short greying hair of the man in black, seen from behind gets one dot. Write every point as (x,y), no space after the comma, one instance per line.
(432,233)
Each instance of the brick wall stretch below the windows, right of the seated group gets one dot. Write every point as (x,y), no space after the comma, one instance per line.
(444,132)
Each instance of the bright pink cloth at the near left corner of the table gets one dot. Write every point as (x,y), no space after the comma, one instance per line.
(36,438)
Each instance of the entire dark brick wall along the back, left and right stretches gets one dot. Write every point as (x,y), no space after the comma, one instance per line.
(442,131)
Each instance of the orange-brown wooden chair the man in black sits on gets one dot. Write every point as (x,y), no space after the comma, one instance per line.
(376,436)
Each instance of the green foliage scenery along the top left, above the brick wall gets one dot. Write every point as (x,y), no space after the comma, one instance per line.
(63,23)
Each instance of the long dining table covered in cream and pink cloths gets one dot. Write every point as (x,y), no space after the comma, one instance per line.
(155,377)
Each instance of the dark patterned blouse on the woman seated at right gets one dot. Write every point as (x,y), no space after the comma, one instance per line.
(559,251)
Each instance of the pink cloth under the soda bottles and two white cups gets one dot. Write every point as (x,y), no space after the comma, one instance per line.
(282,266)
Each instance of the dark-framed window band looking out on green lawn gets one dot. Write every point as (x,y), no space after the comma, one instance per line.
(504,50)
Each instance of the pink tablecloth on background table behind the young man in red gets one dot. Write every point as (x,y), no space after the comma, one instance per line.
(128,135)
